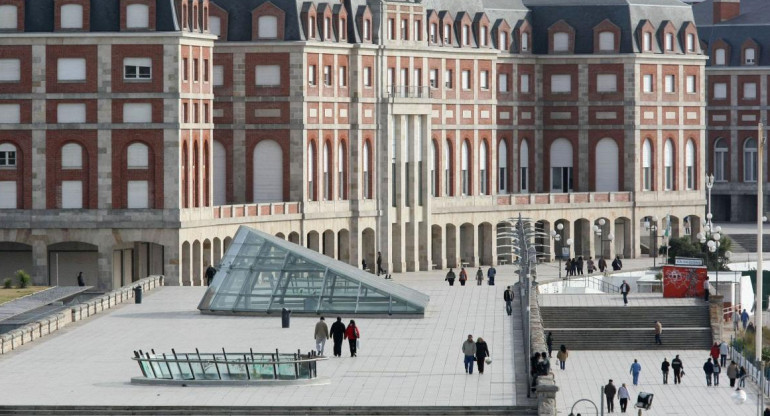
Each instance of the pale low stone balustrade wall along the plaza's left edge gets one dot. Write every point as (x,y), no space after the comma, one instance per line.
(52,323)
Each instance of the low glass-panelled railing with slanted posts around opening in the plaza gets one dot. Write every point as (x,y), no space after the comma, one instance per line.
(227,366)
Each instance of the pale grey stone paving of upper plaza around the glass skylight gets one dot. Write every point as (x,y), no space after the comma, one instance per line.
(401,362)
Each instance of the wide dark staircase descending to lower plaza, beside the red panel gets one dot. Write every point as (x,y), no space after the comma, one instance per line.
(628,328)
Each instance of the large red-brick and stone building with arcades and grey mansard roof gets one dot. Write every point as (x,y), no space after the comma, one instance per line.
(138,135)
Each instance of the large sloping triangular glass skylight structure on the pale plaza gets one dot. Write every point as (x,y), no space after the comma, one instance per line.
(261,274)
